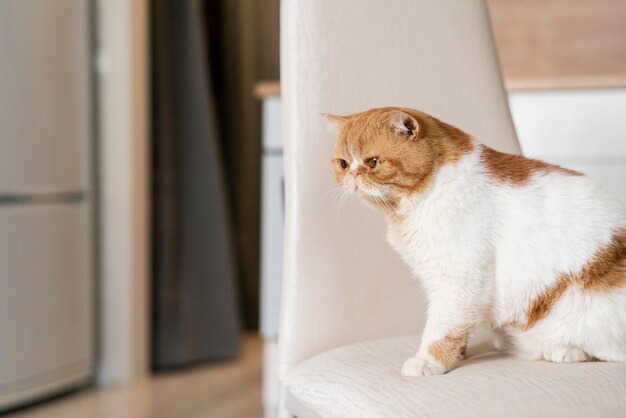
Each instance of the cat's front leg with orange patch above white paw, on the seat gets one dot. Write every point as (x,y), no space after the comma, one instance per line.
(444,340)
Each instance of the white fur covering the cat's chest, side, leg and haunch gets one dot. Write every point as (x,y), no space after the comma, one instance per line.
(485,250)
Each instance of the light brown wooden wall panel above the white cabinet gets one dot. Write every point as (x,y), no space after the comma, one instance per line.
(561,43)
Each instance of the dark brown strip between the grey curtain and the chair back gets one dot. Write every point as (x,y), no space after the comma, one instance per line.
(244,48)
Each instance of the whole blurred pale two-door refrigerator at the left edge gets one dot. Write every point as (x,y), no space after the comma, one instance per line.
(46,199)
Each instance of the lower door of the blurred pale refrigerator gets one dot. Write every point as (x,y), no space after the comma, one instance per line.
(46,300)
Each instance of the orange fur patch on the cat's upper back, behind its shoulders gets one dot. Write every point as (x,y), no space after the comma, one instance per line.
(516,169)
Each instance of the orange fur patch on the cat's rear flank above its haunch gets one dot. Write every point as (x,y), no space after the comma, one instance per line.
(604,273)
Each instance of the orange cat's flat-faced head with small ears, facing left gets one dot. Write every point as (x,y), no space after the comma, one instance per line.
(388,153)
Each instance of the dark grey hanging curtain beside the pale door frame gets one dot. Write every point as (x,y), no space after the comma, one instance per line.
(195,314)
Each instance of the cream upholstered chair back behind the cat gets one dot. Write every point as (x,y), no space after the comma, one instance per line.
(342,281)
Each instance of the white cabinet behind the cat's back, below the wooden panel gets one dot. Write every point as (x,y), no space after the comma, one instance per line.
(580,129)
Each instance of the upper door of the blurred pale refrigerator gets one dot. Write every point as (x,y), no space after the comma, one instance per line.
(45,107)
